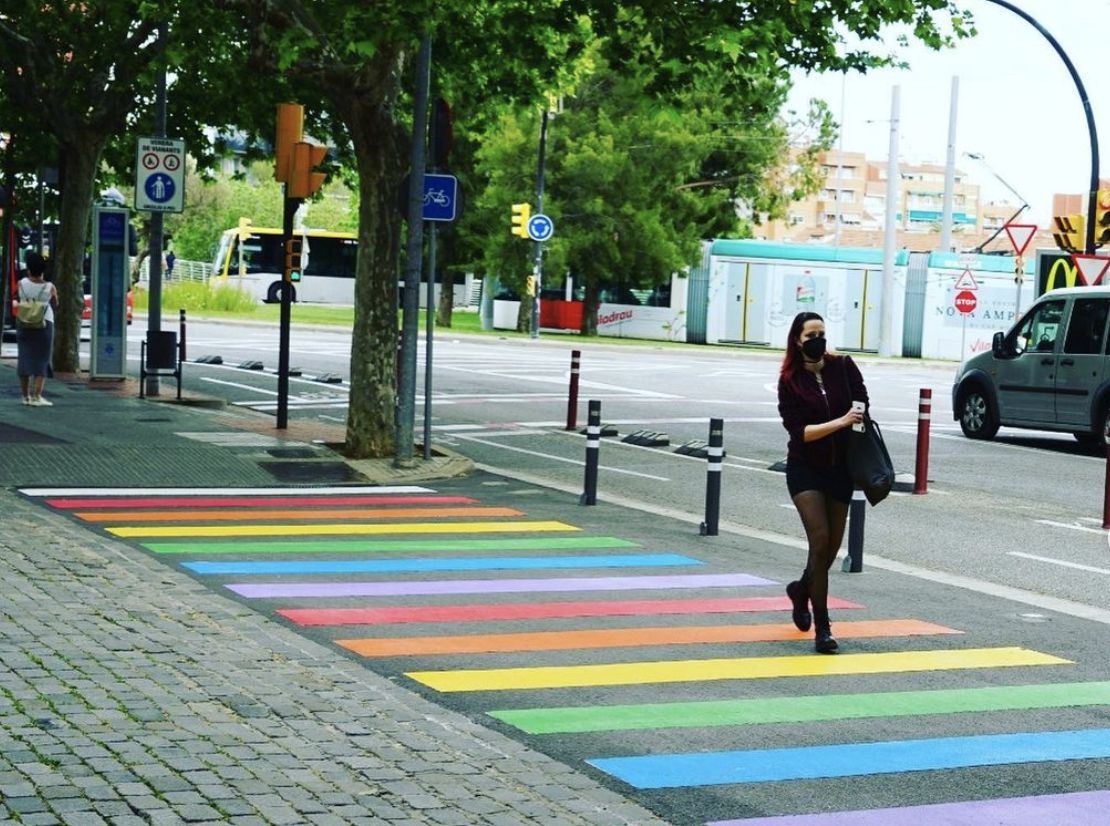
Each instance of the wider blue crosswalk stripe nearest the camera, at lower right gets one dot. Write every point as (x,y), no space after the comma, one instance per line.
(712,769)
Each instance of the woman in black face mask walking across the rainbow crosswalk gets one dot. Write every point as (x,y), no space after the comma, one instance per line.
(816,391)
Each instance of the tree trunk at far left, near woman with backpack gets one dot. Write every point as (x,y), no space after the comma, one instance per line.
(79,162)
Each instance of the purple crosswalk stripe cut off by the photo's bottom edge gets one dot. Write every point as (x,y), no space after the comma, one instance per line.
(1081,809)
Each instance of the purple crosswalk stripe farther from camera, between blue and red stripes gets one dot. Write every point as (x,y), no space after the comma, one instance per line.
(274,590)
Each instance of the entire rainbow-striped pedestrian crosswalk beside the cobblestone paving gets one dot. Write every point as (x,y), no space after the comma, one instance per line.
(551,640)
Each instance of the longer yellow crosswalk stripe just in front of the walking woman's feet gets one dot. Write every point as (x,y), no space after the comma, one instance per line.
(697,671)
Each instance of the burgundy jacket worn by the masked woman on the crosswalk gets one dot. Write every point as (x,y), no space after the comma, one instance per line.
(802,402)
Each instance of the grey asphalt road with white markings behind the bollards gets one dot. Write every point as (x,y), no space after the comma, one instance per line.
(1024,511)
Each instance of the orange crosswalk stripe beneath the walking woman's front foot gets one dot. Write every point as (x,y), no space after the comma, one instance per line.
(629,638)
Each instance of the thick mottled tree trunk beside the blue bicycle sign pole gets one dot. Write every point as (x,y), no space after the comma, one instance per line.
(371,411)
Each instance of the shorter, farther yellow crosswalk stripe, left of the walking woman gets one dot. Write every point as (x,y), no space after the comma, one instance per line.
(361,529)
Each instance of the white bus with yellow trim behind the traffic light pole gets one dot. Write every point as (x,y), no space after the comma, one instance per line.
(257,265)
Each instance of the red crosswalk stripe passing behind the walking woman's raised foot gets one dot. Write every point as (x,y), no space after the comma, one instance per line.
(540,611)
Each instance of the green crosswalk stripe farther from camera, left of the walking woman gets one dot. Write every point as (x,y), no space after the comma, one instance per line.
(346,547)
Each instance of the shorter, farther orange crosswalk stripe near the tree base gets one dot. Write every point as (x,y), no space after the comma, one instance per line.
(257,516)
